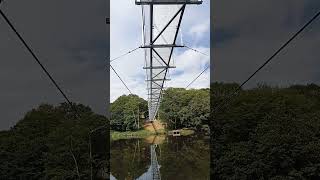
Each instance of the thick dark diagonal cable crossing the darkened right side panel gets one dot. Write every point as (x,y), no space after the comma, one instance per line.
(272,56)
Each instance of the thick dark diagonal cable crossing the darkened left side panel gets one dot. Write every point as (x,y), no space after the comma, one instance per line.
(38,61)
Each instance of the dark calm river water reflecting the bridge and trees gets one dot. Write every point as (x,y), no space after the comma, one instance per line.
(171,158)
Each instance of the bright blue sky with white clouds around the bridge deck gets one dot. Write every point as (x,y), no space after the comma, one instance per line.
(125,34)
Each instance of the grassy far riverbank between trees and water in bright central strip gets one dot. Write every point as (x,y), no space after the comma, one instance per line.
(140,134)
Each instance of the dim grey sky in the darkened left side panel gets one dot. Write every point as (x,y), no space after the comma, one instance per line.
(70,39)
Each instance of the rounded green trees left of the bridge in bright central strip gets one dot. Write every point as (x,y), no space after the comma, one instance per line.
(125,112)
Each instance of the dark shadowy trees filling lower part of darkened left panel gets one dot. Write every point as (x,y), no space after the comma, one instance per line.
(43,143)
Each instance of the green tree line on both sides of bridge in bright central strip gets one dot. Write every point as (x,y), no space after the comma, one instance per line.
(180,108)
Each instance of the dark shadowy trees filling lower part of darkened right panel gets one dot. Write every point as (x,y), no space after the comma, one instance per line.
(266,133)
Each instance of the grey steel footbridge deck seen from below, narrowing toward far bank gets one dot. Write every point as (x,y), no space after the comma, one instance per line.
(160,31)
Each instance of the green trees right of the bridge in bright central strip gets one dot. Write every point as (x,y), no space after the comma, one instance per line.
(181,108)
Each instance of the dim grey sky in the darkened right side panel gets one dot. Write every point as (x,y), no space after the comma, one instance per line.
(247,32)
